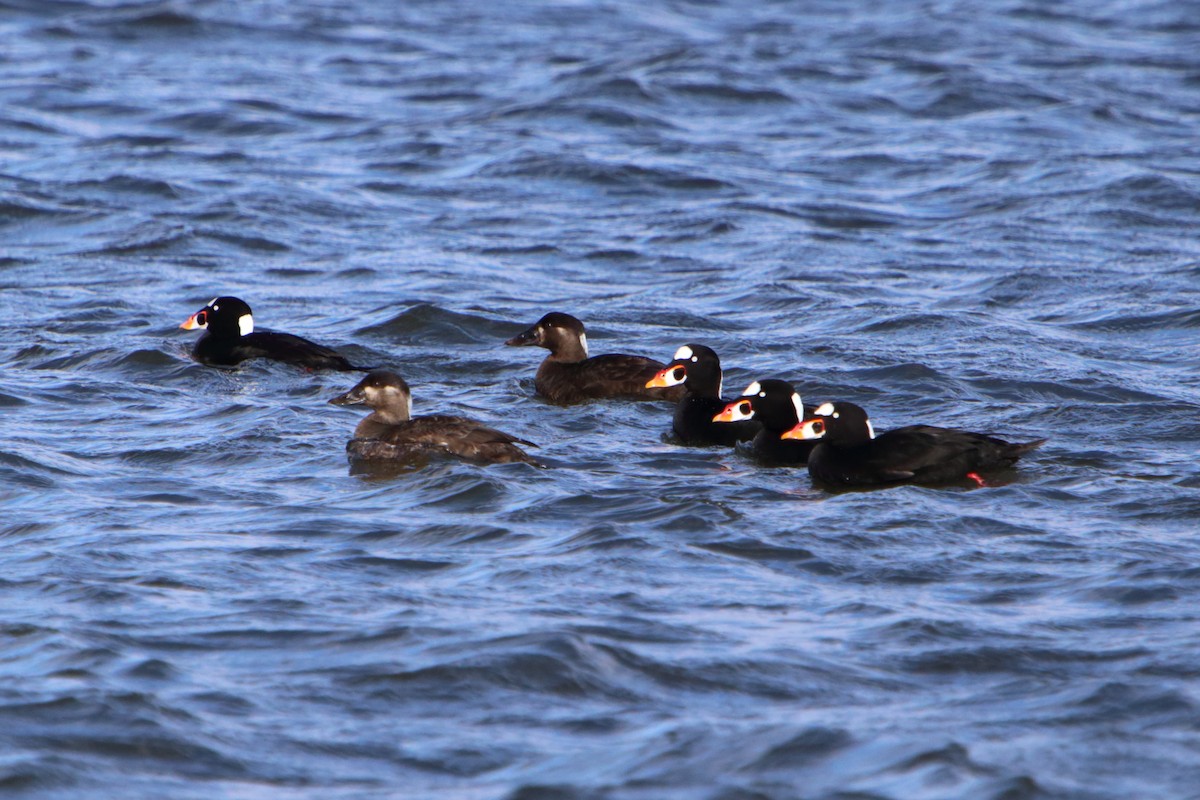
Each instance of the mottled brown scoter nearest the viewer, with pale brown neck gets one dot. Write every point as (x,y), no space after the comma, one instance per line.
(392,434)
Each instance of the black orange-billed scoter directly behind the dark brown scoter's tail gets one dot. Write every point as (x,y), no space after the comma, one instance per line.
(698,369)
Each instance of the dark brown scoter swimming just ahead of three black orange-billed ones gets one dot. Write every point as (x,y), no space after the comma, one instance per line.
(568,376)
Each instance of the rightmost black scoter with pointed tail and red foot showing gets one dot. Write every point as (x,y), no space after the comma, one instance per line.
(849,454)
